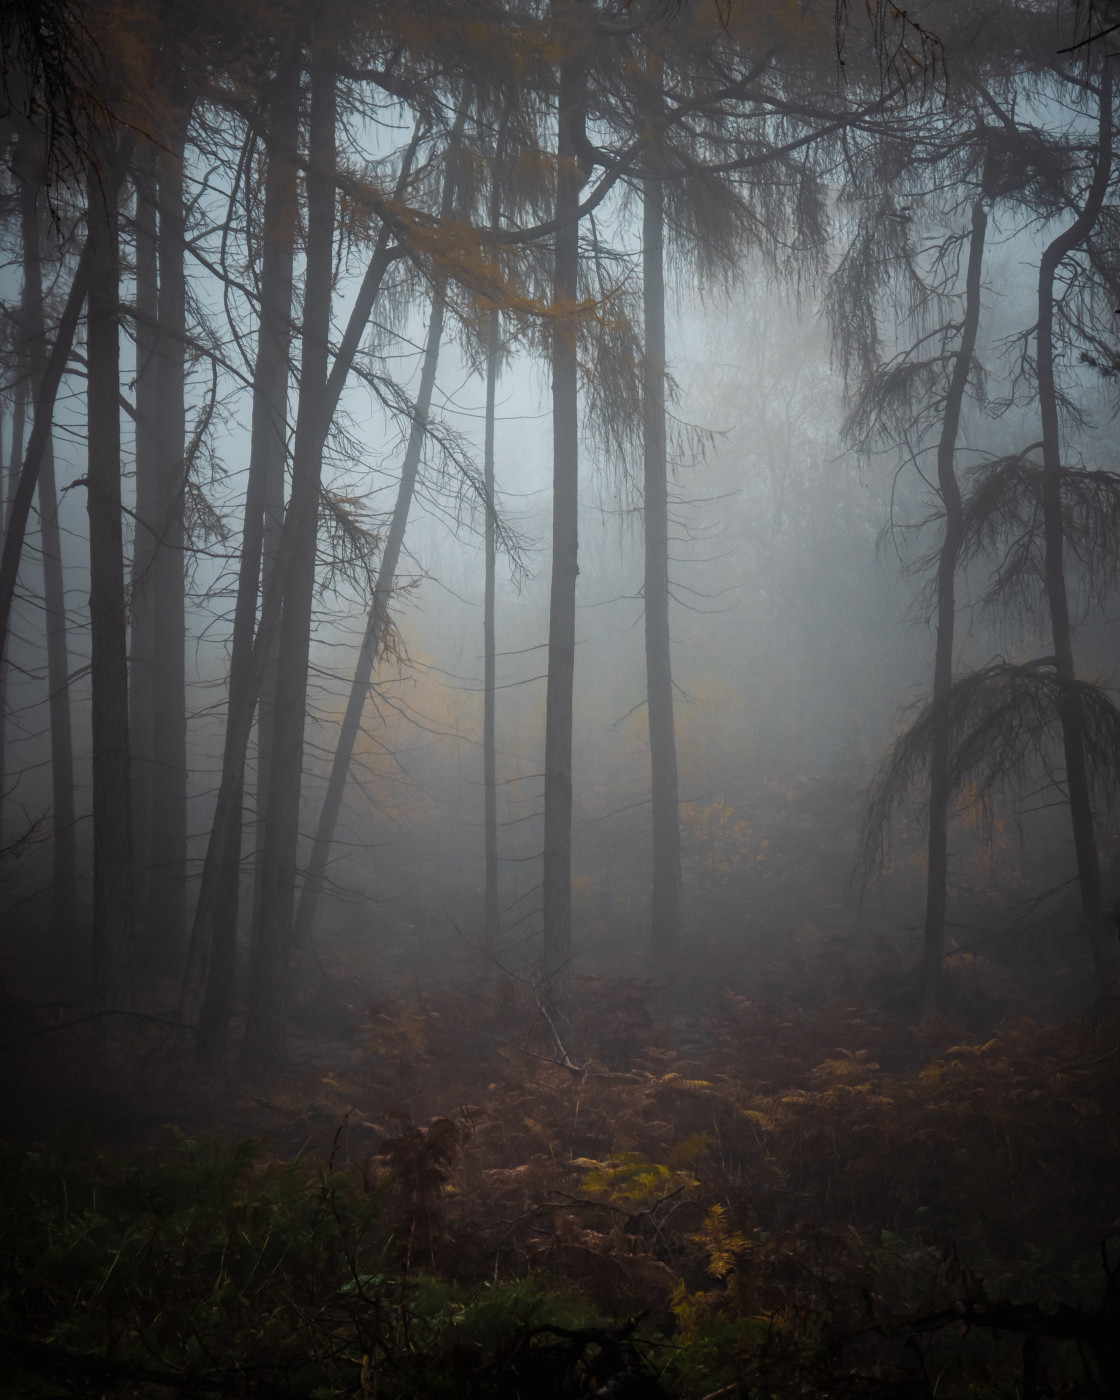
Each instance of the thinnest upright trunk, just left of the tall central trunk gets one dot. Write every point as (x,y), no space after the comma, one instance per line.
(489,660)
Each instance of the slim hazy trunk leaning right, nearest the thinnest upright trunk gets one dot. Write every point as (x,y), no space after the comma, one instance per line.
(383,590)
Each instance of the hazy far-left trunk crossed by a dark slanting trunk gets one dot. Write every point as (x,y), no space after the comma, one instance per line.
(62,751)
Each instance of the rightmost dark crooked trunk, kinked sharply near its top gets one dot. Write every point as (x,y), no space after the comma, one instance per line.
(1073,730)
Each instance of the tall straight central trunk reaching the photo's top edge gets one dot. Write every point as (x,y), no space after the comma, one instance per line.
(556,877)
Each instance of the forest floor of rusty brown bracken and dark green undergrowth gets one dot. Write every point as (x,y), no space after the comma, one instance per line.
(444,1193)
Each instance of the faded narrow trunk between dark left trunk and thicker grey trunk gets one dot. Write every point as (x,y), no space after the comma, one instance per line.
(145,524)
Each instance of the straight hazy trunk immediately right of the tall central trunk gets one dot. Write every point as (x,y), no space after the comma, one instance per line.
(666,887)
